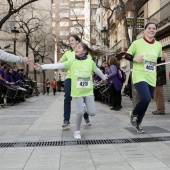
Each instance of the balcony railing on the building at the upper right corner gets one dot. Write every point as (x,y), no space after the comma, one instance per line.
(162,16)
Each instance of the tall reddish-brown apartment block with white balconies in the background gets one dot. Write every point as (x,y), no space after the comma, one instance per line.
(70,17)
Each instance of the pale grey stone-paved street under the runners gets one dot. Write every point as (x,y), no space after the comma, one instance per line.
(40,119)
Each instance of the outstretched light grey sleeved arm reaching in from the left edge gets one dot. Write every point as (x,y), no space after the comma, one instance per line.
(13,58)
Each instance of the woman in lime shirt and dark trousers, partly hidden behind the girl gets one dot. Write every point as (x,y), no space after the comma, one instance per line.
(69,55)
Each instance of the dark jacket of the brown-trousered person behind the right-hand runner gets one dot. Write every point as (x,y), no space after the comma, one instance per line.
(161,75)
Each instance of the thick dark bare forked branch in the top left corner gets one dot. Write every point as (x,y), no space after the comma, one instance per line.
(13,8)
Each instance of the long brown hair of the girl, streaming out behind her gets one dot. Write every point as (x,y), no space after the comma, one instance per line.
(92,52)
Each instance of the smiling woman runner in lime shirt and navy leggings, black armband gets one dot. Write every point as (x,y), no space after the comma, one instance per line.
(145,53)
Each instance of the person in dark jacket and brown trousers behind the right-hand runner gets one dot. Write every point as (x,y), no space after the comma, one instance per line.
(158,93)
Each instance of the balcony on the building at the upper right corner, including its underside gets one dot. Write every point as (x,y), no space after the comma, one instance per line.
(162,19)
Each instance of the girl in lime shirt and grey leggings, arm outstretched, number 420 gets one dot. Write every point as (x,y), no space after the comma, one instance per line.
(81,69)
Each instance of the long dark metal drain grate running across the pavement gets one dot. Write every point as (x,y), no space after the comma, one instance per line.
(84,142)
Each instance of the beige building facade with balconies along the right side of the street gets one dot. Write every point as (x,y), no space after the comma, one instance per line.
(148,11)
